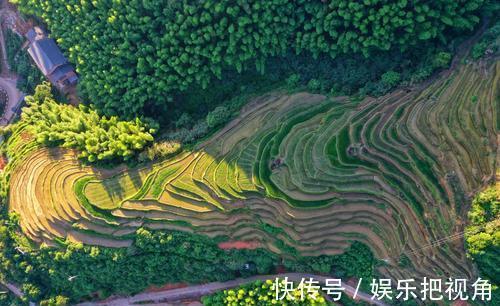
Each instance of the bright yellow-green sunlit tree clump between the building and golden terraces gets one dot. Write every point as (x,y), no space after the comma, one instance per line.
(96,137)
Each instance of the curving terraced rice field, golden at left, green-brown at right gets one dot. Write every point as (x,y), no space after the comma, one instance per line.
(395,173)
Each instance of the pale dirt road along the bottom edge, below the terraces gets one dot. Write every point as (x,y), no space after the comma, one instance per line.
(197,291)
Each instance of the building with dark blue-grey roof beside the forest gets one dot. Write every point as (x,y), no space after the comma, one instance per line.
(50,60)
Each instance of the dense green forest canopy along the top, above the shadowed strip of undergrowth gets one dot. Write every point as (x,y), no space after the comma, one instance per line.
(136,56)
